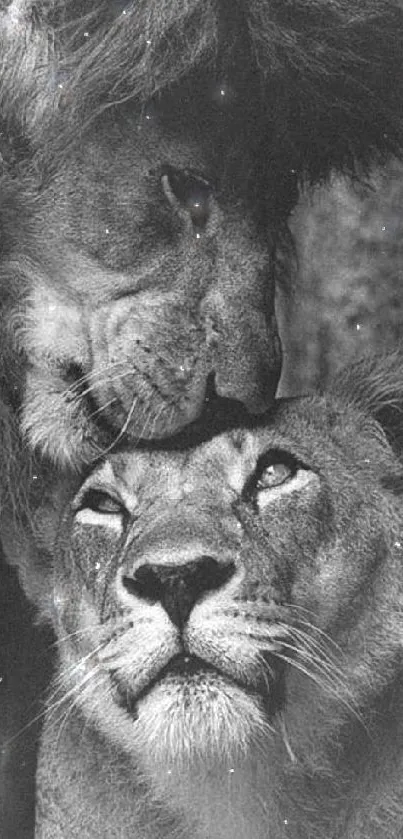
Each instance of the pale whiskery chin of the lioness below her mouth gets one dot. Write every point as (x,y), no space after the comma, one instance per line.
(195,723)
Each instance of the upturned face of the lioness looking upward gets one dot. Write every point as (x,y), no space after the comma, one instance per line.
(212,603)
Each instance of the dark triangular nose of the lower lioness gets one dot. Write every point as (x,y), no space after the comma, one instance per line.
(178,587)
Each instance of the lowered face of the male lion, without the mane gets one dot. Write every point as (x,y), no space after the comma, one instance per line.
(153,279)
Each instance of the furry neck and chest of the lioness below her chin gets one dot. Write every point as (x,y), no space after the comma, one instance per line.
(86,788)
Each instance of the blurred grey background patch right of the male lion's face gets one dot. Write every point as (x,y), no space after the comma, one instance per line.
(348,295)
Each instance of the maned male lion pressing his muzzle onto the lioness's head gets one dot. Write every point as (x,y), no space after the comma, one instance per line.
(151,154)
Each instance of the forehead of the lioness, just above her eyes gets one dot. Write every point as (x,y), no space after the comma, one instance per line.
(306,428)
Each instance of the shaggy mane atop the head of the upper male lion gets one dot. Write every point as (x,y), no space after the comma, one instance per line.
(331,71)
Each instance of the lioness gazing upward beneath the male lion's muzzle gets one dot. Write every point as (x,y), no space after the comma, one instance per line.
(230,630)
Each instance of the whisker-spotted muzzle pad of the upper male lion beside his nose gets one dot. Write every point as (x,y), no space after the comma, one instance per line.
(155,384)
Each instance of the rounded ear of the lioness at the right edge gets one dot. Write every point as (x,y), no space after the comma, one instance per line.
(375,385)
